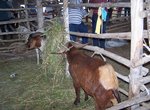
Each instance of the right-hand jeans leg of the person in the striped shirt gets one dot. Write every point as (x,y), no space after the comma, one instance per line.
(83,29)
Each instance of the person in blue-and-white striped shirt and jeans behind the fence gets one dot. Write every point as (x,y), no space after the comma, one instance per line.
(75,21)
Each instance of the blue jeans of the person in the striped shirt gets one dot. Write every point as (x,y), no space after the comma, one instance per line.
(78,28)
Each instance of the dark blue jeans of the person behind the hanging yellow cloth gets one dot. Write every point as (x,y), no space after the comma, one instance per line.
(98,42)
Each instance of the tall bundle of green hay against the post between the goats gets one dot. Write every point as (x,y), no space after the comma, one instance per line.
(54,65)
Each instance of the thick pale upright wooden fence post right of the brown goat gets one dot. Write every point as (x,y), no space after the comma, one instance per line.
(136,48)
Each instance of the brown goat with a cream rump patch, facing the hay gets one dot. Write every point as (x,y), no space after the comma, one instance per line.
(94,76)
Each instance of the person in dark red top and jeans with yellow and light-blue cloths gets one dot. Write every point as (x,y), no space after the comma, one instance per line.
(95,17)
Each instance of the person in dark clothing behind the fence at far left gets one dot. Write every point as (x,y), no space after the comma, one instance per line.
(6,16)
